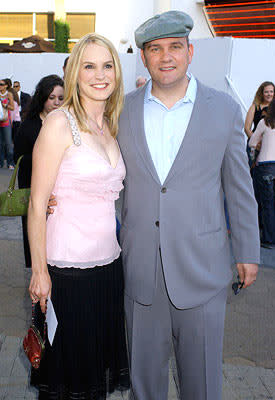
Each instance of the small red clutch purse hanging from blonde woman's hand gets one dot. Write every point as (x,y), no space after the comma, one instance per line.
(33,344)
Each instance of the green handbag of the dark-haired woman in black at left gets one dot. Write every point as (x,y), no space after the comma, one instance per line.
(14,202)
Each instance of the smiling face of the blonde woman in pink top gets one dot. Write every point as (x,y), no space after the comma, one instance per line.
(96,78)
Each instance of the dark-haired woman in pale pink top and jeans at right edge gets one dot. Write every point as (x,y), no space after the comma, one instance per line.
(265,172)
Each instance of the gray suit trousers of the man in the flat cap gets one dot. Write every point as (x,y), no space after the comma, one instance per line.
(197,337)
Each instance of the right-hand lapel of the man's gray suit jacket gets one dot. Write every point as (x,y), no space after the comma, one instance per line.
(191,135)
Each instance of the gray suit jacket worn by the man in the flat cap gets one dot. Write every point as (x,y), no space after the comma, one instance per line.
(185,215)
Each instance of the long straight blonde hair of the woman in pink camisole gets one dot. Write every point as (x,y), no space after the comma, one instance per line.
(114,103)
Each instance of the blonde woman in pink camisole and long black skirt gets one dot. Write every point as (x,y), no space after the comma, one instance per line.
(75,253)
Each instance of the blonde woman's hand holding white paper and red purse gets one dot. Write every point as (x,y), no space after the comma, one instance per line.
(40,288)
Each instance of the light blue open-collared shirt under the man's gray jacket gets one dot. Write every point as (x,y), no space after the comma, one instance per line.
(165,128)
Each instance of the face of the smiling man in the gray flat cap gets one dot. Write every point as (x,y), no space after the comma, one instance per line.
(167,60)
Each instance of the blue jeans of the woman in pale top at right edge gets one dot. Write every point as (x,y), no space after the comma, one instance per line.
(264,175)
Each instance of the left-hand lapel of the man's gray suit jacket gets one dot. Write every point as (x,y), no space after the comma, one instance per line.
(136,118)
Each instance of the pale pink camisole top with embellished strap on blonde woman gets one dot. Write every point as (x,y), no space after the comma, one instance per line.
(81,233)
